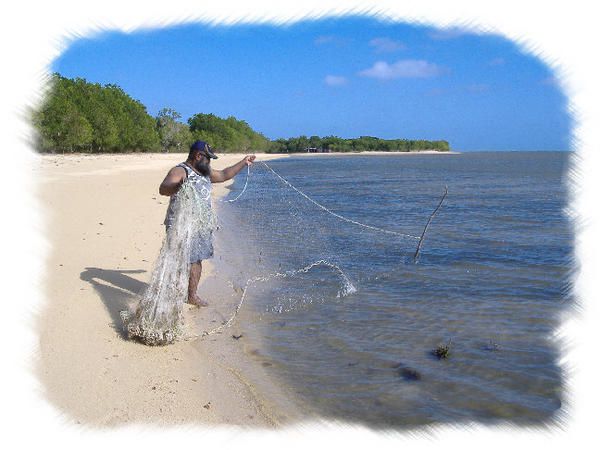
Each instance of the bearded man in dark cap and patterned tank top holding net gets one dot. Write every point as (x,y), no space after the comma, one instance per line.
(198,171)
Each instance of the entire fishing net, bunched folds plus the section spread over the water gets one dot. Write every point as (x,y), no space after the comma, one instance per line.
(277,244)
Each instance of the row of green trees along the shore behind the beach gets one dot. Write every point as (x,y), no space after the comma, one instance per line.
(82,117)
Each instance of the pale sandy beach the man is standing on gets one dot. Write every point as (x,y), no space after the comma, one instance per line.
(104,223)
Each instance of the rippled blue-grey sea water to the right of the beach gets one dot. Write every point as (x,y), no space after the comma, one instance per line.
(491,280)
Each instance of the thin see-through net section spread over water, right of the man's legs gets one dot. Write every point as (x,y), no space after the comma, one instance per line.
(287,249)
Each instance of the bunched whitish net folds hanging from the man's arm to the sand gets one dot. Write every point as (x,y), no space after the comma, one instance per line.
(158,317)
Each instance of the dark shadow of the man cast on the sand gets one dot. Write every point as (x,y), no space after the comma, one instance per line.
(116,290)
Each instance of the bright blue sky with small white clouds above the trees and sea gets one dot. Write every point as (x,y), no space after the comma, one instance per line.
(346,77)
